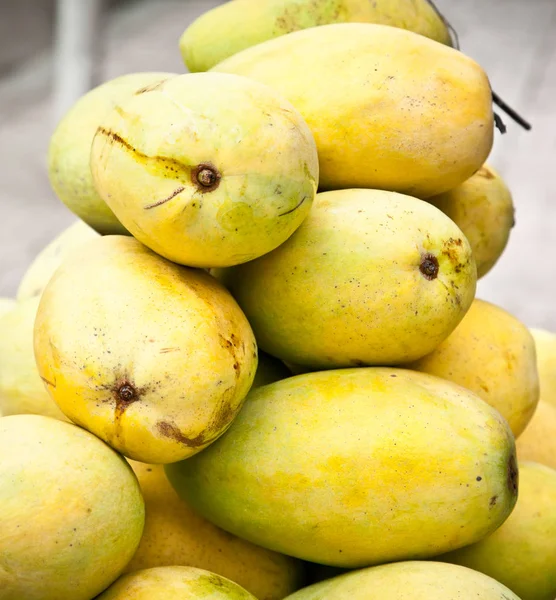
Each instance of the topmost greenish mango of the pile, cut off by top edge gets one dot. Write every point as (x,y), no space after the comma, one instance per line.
(234,26)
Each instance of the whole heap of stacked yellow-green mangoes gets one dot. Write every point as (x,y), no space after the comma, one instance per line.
(256,366)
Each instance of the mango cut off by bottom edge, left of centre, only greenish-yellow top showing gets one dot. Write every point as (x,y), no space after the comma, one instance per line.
(174,583)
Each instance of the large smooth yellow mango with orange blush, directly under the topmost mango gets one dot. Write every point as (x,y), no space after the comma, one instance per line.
(389,109)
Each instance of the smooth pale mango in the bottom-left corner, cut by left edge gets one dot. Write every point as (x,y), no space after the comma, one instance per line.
(71,511)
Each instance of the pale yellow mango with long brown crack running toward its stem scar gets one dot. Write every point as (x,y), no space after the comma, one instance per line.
(207,169)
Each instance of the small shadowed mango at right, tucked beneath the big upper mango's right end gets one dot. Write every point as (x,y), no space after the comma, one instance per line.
(483,208)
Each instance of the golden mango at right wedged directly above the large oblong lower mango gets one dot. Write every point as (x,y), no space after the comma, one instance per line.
(492,354)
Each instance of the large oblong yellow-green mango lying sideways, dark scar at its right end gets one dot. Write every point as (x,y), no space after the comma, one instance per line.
(403,465)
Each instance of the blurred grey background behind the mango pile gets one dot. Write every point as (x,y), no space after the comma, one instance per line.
(51,49)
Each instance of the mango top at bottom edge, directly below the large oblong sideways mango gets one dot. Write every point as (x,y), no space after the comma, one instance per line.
(412,580)
